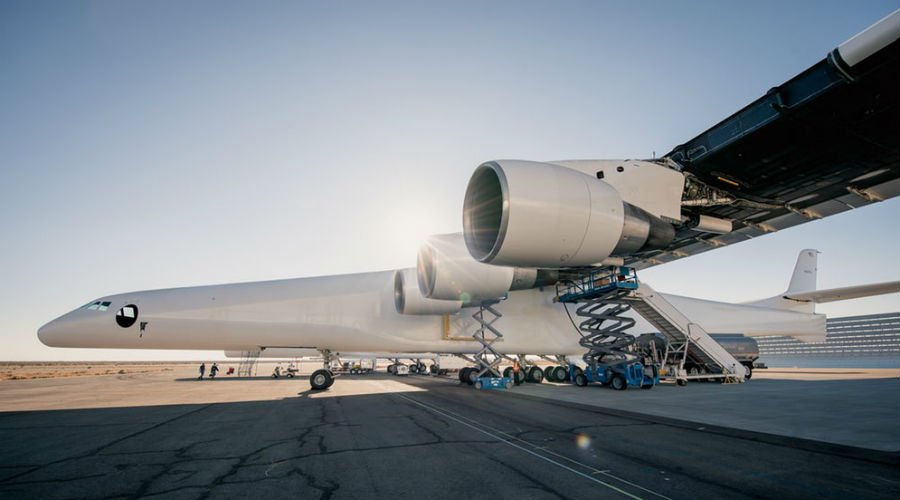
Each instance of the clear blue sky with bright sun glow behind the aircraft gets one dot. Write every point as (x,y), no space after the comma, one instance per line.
(159,144)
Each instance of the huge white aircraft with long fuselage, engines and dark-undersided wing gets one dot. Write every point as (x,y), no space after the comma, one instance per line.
(821,143)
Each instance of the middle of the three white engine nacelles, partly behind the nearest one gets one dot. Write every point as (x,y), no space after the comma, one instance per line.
(446,271)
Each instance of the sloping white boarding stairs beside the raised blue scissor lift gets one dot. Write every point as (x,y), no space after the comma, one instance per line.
(684,337)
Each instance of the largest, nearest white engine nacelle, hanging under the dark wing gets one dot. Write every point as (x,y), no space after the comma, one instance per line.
(524,213)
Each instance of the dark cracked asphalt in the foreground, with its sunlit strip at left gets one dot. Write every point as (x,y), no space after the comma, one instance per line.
(380,436)
